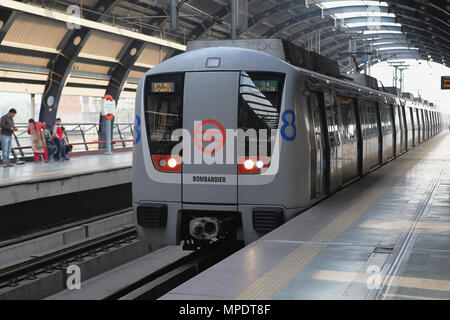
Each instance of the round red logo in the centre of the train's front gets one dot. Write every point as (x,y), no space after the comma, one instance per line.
(215,138)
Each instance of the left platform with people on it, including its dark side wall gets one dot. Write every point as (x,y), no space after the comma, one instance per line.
(36,195)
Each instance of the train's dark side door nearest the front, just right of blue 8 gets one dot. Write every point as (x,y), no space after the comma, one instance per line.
(317,142)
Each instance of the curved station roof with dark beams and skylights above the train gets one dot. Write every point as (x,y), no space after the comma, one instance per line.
(36,35)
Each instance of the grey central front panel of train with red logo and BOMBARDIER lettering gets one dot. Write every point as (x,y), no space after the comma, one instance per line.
(210,107)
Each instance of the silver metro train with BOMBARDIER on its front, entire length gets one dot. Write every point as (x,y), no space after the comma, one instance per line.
(316,132)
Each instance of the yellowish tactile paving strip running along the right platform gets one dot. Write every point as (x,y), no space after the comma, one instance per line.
(269,284)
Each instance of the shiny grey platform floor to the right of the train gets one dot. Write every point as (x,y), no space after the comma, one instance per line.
(386,236)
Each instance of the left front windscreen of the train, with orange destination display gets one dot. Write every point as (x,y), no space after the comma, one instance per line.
(163,110)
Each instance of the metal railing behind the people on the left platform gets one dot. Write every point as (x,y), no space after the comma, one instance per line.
(82,136)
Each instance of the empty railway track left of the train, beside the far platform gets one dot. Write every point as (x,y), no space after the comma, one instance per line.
(12,276)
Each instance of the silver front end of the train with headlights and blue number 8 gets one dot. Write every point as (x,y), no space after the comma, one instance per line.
(197,175)
